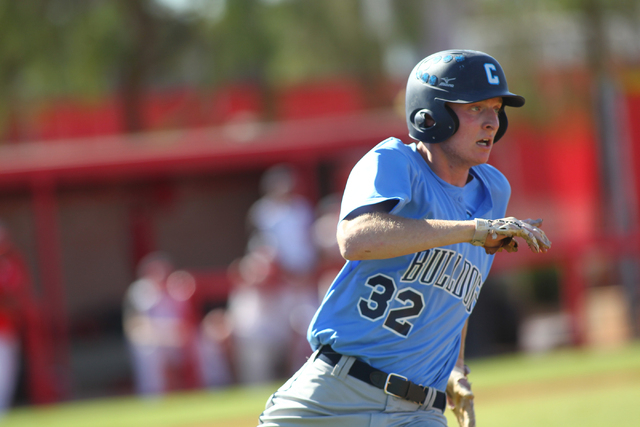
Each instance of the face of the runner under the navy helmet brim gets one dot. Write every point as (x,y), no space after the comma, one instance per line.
(472,143)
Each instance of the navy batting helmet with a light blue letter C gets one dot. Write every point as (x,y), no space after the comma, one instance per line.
(457,76)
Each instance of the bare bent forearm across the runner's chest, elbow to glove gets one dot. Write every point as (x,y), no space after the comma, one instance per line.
(381,236)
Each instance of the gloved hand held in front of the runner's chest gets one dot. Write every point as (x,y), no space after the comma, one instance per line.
(503,231)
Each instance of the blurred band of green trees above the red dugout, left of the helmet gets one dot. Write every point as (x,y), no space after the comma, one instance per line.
(90,49)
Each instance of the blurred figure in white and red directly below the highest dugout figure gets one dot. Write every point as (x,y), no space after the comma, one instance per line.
(269,315)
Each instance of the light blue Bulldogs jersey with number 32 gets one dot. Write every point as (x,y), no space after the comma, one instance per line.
(405,314)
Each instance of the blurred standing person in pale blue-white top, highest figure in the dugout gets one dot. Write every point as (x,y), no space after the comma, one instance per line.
(283,219)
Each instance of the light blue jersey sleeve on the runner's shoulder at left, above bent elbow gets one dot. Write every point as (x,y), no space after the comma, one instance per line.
(384,173)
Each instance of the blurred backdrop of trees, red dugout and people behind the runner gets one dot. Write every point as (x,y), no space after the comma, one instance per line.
(152,150)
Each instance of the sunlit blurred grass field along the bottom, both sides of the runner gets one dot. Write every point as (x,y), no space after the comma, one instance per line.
(565,388)
